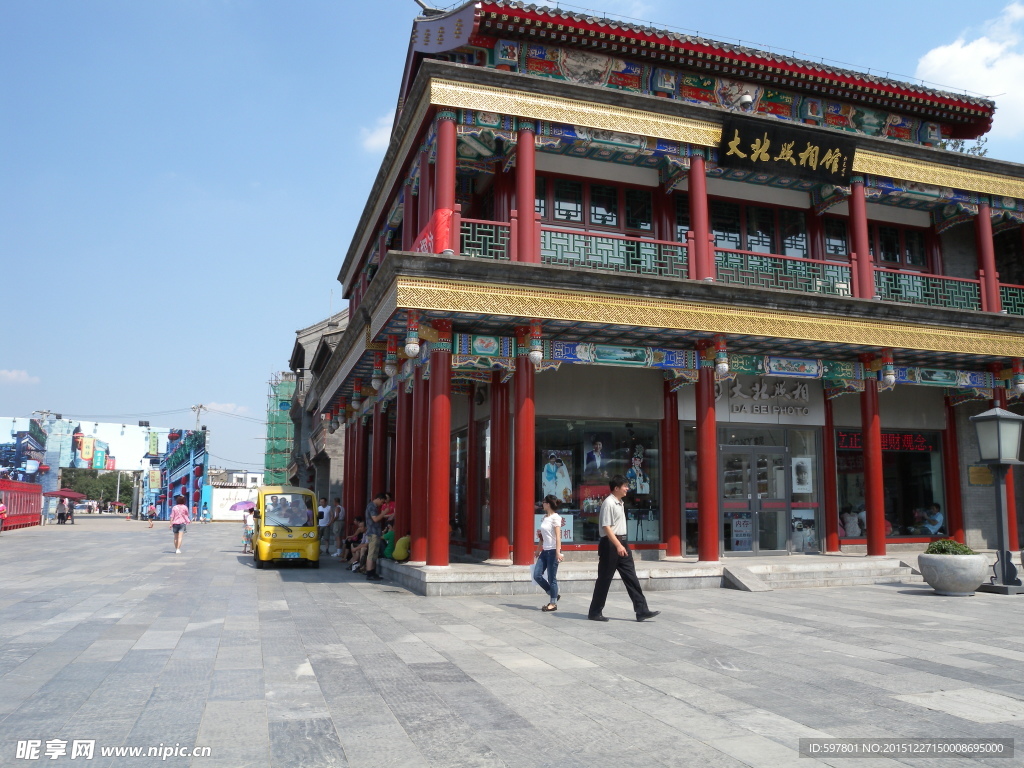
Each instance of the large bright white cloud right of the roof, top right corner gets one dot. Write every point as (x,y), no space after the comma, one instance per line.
(991,61)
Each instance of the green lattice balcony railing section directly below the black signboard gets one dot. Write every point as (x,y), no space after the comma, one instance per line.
(783,273)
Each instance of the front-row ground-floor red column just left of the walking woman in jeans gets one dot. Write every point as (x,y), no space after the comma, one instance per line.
(524,488)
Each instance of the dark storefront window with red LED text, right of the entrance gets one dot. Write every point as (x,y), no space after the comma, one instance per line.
(912,464)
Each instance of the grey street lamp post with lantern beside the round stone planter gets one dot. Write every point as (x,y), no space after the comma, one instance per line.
(999,442)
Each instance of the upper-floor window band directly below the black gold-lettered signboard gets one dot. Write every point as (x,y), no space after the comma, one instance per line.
(740,227)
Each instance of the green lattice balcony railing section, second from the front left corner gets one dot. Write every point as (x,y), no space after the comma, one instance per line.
(613,253)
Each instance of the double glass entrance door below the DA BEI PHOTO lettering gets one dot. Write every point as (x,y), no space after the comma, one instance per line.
(755,500)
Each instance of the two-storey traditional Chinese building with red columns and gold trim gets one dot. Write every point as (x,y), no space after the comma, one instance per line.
(758,287)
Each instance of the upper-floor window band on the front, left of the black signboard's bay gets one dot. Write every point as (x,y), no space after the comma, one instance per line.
(565,201)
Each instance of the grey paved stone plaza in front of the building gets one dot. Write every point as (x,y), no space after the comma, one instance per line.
(106,635)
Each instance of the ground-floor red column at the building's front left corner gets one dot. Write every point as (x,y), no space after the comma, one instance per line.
(439,442)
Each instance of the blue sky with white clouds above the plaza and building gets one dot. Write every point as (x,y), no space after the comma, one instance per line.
(180,180)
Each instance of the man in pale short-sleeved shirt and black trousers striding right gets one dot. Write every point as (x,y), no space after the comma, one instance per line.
(614,554)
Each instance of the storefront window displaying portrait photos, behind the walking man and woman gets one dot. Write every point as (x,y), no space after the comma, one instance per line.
(576,460)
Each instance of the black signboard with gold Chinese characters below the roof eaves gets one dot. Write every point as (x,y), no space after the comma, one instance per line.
(782,150)
